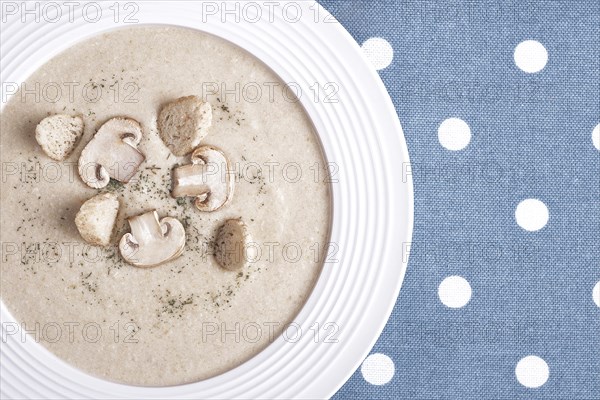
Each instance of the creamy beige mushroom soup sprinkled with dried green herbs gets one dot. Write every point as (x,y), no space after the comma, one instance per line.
(189,318)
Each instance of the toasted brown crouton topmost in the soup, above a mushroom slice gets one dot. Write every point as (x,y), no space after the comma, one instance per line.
(183,123)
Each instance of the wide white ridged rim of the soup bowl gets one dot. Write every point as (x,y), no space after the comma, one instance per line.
(373,202)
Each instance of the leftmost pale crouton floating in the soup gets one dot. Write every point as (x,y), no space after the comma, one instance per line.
(58,135)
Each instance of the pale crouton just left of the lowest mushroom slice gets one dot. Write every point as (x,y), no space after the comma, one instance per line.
(96,219)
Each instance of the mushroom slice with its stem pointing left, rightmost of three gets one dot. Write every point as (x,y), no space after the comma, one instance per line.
(207,178)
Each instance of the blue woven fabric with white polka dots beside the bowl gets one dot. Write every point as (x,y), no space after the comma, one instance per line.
(500,106)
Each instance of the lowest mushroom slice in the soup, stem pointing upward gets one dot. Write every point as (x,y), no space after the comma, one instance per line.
(152,241)
